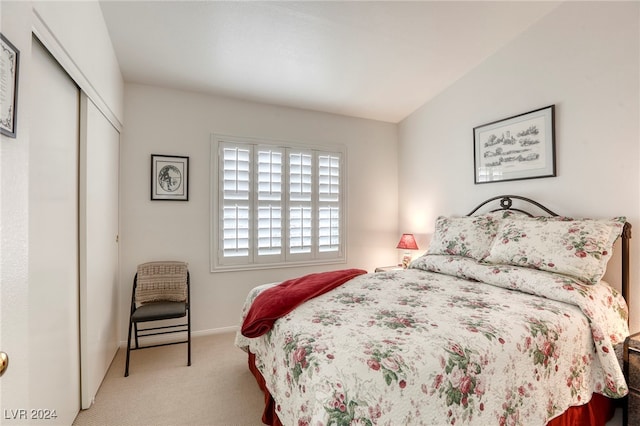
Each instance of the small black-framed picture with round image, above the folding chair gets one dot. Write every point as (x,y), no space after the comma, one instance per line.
(169,177)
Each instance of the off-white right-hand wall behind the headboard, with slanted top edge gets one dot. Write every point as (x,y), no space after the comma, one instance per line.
(583,58)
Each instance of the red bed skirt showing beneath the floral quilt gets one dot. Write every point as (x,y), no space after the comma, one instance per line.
(595,413)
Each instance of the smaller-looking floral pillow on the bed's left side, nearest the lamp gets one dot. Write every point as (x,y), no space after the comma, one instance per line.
(469,236)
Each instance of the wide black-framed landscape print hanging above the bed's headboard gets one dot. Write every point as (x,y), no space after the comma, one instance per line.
(518,147)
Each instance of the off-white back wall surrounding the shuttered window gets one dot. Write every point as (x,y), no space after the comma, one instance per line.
(163,121)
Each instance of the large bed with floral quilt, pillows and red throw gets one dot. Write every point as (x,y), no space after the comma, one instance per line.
(504,320)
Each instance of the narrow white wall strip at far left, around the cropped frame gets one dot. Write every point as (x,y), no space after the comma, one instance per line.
(14,217)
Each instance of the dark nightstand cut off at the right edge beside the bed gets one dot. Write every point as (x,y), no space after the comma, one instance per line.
(631,413)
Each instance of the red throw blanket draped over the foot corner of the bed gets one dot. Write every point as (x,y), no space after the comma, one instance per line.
(278,301)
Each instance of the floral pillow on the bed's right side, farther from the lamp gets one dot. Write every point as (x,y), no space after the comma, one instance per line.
(579,248)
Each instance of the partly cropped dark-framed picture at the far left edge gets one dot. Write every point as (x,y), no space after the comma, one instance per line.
(9,61)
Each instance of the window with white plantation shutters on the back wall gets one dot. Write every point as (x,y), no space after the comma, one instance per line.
(275,204)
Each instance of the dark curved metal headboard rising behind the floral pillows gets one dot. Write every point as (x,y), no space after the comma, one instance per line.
(506,203)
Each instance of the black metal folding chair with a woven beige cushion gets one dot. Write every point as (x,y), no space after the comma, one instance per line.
(161,291)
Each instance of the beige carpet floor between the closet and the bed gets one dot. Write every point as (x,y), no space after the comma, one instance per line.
(217,389)
